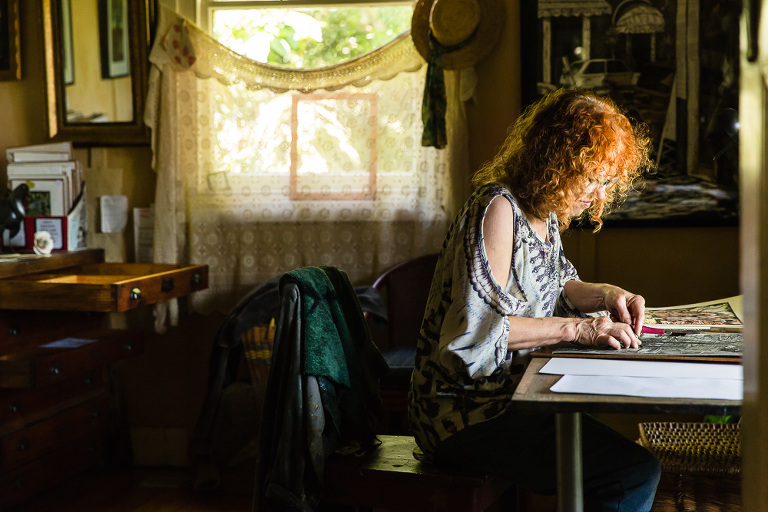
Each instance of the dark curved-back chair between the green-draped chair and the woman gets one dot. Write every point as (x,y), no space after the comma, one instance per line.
(404,289)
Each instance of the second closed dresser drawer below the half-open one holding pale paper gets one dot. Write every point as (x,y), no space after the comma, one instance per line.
(31,442)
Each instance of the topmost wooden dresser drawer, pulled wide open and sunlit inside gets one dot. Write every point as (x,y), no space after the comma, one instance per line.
(101,286)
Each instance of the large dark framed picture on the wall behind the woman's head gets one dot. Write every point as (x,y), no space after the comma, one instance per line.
(672,65)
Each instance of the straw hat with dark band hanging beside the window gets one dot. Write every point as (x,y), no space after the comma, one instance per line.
(467,29)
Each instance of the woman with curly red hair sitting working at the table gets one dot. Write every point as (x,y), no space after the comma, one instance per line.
(503,288)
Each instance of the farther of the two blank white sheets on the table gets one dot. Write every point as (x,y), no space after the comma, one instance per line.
(630,368)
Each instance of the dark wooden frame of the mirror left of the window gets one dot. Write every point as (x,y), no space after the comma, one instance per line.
(132,132)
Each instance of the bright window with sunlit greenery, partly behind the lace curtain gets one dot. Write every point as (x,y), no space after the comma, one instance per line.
(354,144)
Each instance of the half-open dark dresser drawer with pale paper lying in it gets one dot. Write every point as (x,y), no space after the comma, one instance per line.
(58,361)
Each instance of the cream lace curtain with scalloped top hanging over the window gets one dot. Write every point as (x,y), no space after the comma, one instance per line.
(241,183)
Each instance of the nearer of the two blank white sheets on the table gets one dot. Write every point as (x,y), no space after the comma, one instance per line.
(655,387)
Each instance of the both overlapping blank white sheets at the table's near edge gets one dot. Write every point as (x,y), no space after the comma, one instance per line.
(643,378)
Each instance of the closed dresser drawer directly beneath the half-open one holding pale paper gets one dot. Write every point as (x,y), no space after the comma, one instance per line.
(21,407)
